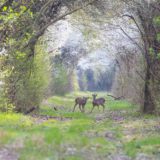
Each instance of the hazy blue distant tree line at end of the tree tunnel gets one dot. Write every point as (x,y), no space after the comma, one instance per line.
(97,80)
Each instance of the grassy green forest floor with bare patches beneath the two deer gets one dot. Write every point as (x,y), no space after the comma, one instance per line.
(118,133)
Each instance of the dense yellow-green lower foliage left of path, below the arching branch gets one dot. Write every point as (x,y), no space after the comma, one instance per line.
(26,81)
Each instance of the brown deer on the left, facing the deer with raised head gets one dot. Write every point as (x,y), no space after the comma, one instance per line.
(81,102)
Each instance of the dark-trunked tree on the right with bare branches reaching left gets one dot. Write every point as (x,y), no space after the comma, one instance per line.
(145,14)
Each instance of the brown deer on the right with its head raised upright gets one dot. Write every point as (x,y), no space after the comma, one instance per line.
(97,102)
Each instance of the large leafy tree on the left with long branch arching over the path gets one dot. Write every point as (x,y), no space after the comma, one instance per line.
(22,23)
